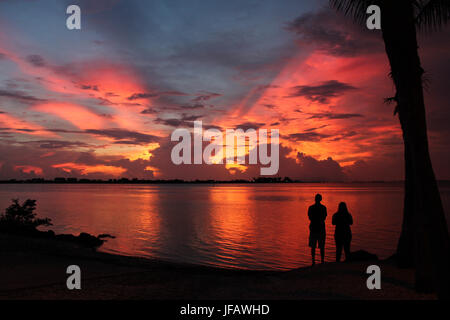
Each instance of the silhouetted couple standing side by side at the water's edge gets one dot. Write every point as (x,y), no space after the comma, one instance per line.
(342,219)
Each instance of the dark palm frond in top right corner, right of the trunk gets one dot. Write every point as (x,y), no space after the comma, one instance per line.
(433,15)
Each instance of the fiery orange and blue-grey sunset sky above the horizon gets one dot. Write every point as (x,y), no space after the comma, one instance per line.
(102,102)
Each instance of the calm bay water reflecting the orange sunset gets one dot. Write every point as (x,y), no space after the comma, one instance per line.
(263,226)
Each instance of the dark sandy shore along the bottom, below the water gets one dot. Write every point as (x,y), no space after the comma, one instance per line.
(36,269)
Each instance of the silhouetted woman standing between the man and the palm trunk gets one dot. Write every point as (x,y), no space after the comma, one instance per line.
(342,219)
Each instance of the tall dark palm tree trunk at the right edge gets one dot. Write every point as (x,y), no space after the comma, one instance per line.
(424,241)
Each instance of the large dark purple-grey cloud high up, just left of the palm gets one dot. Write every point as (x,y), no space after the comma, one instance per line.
(334,34)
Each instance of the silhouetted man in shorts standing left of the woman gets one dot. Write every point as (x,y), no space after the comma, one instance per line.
(317,214)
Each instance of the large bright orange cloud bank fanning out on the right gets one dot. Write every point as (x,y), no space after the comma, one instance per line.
(323,136)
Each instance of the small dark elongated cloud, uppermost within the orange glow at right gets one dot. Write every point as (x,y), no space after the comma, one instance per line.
(322,92)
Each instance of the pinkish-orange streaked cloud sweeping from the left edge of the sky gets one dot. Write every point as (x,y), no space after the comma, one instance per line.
(112,84)
